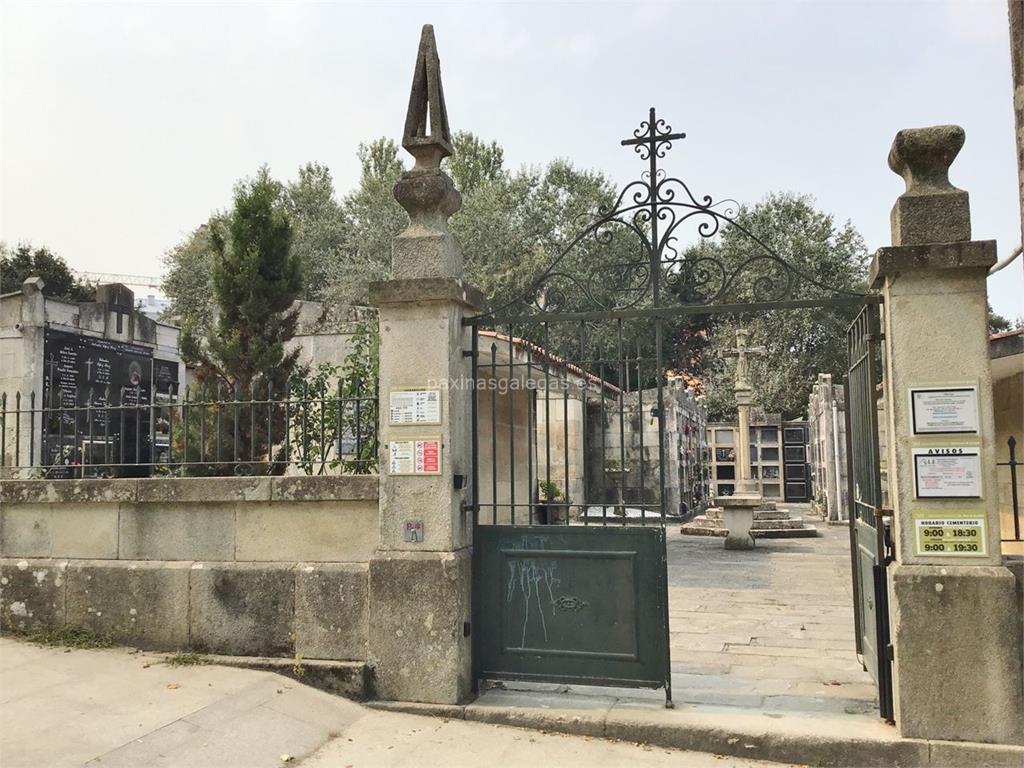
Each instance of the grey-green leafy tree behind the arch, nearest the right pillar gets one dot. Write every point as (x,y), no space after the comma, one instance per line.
(800,344)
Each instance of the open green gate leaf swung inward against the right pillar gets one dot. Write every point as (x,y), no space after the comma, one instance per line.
(871,546)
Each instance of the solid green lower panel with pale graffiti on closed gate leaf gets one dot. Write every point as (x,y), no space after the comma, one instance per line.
(572,605)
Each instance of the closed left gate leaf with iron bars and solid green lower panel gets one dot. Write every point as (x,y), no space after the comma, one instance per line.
(570,545)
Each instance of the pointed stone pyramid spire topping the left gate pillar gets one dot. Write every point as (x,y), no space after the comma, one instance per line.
(428,137)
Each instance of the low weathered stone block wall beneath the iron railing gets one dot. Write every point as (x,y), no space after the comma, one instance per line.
(235,566)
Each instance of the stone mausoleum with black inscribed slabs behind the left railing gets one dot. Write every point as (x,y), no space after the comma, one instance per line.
(57,354)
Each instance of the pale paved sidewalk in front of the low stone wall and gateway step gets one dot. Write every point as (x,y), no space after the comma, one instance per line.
(117,708)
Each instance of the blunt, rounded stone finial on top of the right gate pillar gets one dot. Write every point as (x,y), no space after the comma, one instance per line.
(931,210)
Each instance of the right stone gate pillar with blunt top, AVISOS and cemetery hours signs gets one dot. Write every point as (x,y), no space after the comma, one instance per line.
(956,628)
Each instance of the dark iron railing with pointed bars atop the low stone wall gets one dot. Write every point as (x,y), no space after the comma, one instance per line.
(208,432)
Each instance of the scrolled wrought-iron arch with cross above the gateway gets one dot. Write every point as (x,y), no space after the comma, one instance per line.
(654,208)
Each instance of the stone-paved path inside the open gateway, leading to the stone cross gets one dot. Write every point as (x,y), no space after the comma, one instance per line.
(769,629)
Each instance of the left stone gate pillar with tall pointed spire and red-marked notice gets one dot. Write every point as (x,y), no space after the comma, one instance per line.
(420,575)
